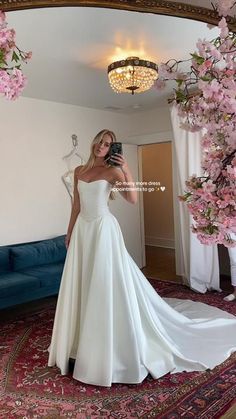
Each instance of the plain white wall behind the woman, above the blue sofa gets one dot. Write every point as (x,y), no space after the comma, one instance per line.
(34,135)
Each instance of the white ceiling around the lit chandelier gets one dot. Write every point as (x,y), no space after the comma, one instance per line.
(72,47)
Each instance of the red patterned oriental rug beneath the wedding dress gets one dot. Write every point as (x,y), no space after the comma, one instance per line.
(29,389)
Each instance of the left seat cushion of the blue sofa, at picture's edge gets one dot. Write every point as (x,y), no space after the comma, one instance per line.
(15,283)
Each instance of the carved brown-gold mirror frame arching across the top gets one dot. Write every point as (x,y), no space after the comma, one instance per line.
(161,7)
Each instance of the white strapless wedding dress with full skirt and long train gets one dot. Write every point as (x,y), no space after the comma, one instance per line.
(111,320)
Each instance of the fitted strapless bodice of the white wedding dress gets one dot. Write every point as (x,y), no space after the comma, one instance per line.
(94,198)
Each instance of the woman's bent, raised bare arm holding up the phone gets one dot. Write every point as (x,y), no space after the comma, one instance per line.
(124,180)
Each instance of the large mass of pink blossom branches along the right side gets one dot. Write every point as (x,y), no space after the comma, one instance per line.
(211,199)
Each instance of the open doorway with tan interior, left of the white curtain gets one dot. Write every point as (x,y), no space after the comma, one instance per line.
(156,168)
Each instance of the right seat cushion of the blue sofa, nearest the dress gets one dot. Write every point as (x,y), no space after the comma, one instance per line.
(47,274)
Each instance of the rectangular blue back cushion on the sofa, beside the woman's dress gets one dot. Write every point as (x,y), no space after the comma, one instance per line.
(38,253)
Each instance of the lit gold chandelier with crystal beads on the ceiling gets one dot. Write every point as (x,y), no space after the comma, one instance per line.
(132,75)
